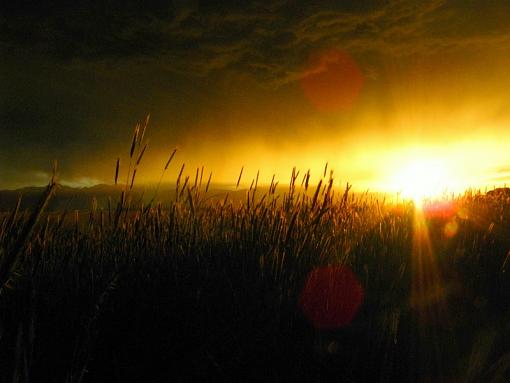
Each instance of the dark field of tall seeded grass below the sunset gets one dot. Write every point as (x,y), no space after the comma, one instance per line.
(295,283)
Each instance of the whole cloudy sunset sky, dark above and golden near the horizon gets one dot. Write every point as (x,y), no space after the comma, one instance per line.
(368,87)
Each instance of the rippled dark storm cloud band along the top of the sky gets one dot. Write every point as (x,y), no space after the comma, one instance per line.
(270,40)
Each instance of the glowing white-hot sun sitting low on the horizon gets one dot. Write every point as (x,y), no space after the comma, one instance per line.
(421,178)
